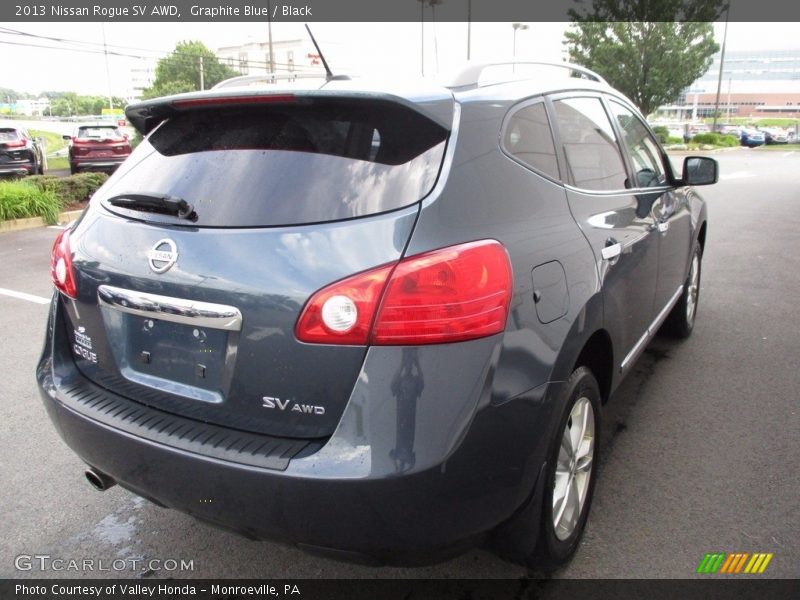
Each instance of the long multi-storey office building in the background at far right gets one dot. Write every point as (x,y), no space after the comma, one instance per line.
(755,84)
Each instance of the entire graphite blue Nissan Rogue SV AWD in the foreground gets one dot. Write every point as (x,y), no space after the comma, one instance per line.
(378,323)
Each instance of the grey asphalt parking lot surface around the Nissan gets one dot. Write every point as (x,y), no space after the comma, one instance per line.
(701,441)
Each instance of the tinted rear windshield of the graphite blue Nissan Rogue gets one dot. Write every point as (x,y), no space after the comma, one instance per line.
(270,165)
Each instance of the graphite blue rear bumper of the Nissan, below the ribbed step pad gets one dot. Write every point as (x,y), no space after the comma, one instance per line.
(354,497)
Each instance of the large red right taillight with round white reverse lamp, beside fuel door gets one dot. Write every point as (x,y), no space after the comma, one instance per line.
(448,295)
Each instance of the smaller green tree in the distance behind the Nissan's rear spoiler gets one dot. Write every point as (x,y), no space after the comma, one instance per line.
(180,71)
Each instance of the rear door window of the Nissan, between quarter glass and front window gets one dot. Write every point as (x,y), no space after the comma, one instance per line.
(590,147)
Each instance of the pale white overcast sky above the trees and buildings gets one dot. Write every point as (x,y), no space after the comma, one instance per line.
(356,48)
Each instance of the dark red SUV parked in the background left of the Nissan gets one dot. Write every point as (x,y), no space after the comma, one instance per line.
(97,147)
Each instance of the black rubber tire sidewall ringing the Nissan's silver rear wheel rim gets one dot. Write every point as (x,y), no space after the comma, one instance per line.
(551,551)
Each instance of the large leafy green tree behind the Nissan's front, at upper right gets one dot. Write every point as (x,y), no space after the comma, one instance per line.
(650,51)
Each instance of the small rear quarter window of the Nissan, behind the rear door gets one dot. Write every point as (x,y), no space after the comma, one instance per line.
(528,139)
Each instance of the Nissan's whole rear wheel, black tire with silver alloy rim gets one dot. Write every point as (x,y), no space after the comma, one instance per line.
(558,531)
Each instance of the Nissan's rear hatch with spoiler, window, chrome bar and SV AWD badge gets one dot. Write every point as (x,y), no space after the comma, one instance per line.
(196,258)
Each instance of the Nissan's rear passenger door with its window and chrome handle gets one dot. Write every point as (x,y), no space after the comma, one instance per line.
(613,218)
